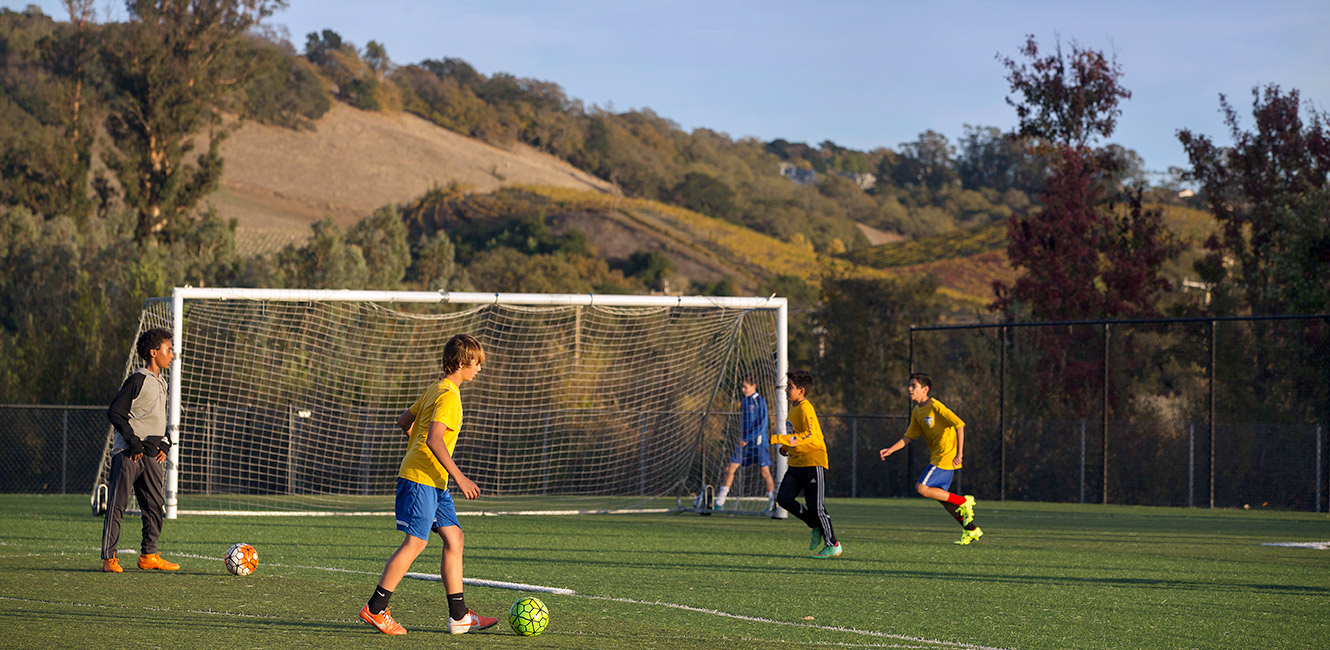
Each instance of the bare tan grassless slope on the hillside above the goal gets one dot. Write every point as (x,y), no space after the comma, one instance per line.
(279,181)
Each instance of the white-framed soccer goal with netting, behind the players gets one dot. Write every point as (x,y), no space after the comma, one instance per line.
(285,402)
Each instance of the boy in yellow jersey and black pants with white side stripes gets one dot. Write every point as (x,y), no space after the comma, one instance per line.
(808,453)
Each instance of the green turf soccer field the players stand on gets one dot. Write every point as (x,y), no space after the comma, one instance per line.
(1045,576)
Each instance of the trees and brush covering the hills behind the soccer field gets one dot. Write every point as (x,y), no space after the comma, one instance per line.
(111,144)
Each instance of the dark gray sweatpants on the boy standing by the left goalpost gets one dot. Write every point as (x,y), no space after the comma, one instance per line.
(146,478)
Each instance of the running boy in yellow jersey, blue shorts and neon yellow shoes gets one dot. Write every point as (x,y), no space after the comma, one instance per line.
(945,434)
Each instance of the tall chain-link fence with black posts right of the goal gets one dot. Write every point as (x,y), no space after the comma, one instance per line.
(1194,413)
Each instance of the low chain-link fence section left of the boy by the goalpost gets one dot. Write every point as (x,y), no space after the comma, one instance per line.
(51,450)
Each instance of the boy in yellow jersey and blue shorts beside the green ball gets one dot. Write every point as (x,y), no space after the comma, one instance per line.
(424,502)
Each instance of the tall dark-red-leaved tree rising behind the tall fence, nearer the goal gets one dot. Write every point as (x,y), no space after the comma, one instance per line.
(1081,257)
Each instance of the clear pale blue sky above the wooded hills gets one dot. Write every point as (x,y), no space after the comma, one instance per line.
(861,74)
